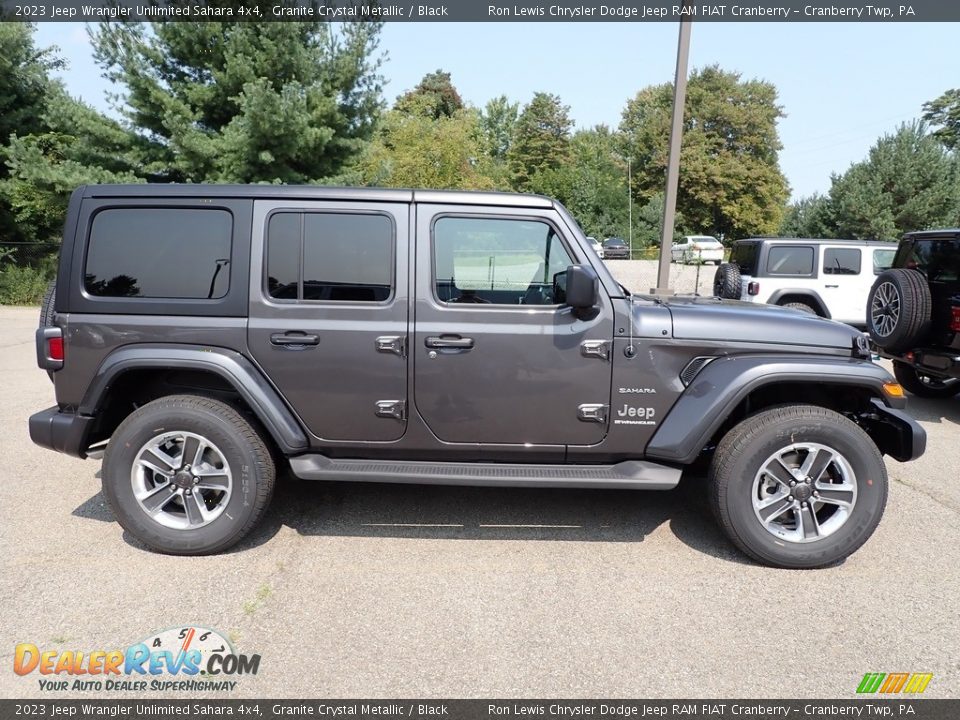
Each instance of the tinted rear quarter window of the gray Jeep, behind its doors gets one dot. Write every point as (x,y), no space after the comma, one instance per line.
(173,253)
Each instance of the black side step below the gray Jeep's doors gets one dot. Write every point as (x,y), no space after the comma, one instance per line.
(633,474)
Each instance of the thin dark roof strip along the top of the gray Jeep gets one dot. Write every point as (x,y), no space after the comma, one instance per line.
(316,192)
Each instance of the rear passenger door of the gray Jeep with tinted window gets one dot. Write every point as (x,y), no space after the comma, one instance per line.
(328,313)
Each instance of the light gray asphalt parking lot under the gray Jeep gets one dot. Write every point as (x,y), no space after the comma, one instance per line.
(403,591)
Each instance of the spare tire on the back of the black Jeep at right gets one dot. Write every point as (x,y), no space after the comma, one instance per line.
(898,310)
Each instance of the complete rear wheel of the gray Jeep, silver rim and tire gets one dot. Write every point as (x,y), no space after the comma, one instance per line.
(187,475)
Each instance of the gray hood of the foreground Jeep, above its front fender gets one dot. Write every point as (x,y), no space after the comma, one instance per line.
(698,318)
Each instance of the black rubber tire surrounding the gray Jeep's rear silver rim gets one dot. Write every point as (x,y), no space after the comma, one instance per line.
(242,447)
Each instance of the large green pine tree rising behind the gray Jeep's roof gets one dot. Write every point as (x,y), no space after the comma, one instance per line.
(245,102)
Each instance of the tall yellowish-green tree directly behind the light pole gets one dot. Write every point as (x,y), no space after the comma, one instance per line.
(730,179)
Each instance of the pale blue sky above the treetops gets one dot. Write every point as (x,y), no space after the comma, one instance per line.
(841,85)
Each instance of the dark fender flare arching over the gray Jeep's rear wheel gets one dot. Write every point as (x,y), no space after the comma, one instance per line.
(231,366)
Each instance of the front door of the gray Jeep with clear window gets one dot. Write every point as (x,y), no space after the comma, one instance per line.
(497,359)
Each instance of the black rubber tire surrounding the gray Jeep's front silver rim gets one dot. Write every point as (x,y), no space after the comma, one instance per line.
(741,455)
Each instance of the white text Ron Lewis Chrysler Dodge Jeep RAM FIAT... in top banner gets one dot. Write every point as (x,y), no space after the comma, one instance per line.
(615,12)
